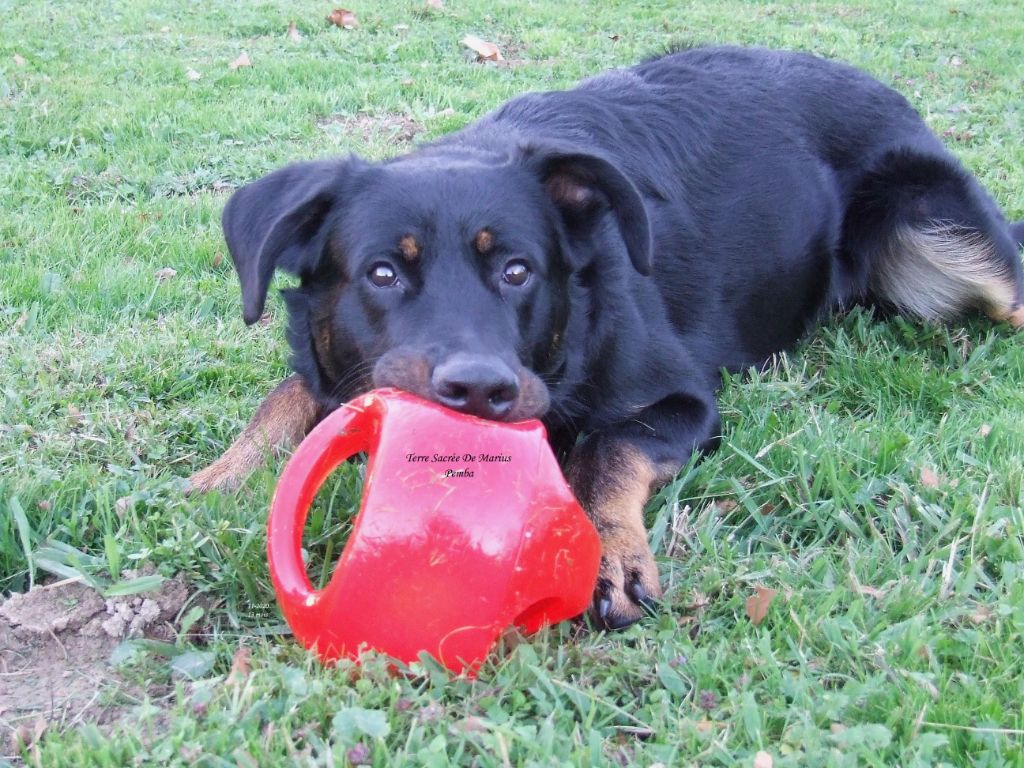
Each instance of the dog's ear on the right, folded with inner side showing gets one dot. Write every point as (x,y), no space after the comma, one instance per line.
(585,188)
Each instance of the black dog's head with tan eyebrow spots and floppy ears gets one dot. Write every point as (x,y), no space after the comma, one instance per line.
(447,273)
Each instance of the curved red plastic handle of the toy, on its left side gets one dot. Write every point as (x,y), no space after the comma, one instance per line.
(346,433)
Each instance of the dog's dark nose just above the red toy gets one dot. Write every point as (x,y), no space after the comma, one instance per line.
(478,385)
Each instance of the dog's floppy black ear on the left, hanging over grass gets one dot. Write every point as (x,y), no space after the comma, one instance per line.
(280,223)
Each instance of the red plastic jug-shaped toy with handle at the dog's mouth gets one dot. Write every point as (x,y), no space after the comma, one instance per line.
(466,528)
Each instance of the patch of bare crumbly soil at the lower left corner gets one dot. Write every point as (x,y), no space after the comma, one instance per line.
(56,645)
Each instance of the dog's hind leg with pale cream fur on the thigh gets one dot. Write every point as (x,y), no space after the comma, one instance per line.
(934,243)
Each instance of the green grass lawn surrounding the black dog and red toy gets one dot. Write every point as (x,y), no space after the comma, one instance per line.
(875,478)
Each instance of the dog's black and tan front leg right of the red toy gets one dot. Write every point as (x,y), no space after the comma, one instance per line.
(613,474)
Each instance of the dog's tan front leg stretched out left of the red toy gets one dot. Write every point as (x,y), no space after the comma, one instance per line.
(282,421)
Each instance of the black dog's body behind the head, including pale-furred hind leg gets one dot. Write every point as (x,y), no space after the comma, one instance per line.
(780,186)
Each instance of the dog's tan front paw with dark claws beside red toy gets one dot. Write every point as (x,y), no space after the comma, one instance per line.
(628,587)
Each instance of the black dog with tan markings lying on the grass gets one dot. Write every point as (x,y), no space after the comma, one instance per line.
(595,257)
